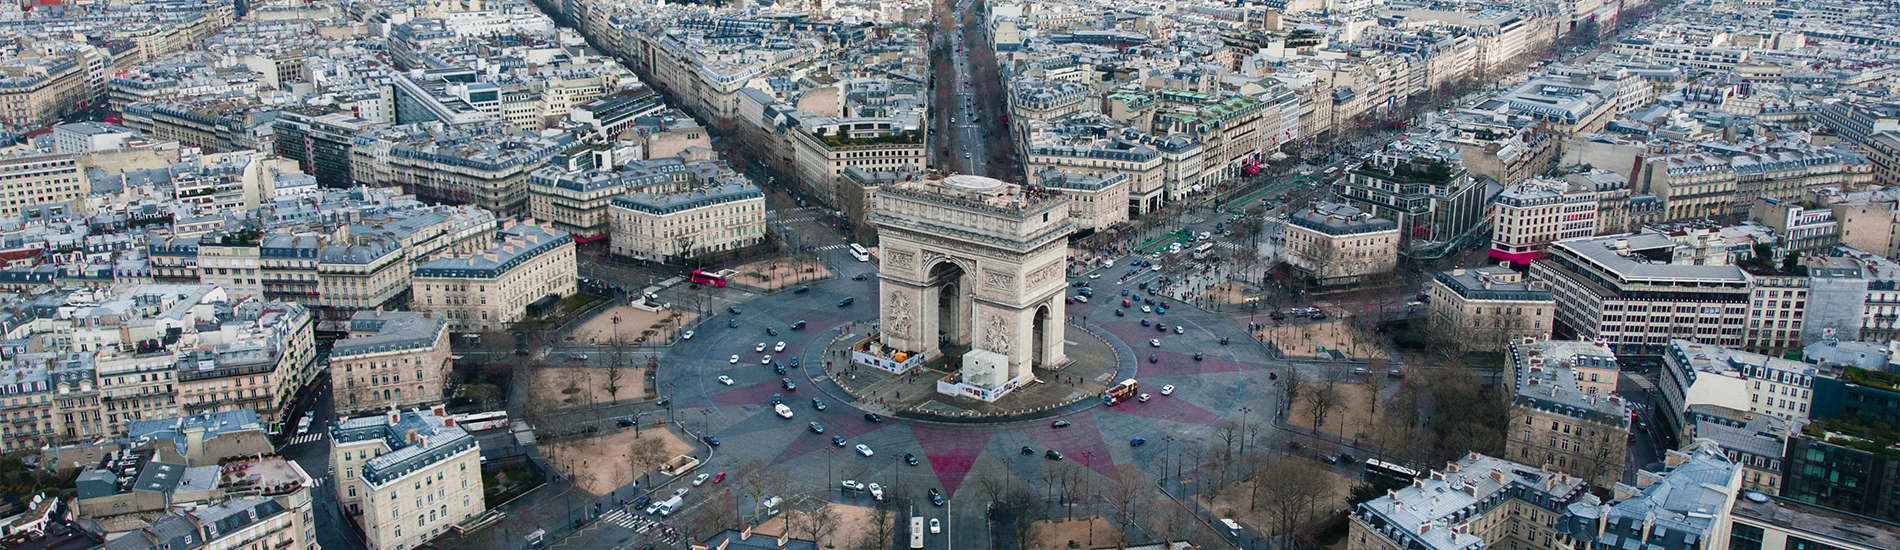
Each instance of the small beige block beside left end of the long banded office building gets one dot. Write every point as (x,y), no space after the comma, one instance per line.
(1489,307)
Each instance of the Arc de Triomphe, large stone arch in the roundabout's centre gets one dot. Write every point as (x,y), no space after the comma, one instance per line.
(974,262)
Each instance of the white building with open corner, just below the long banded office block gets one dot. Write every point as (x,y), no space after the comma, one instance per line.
(1734,380)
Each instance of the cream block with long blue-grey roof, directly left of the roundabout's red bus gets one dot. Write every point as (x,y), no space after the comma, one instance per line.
(525,265)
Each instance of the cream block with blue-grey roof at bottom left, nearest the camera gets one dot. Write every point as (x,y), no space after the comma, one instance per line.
(409,477)
